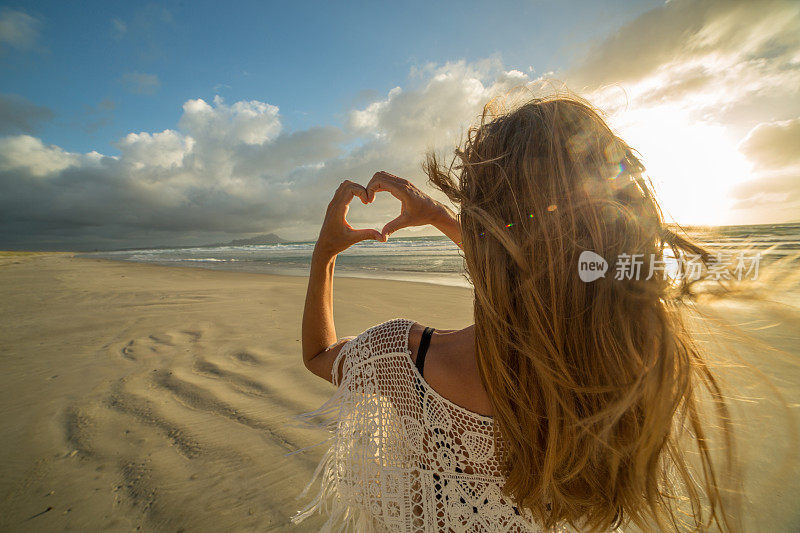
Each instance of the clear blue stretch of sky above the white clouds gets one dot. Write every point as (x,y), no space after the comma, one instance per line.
(313,60)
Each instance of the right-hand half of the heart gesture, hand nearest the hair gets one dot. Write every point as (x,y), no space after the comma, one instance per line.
(417,208)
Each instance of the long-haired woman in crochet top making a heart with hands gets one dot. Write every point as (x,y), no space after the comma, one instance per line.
(567,404)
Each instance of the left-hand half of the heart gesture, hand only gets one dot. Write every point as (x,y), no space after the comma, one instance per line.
(337,234)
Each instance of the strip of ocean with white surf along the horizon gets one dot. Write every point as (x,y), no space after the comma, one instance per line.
(433,259)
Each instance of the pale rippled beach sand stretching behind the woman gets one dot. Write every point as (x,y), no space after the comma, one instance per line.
(136,396)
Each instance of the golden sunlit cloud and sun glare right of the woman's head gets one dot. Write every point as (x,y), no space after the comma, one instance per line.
(686,83)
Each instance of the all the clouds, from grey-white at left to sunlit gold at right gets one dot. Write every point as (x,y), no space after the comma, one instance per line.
(706,91)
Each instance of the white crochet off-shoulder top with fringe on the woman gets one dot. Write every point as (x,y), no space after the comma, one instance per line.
(402,457)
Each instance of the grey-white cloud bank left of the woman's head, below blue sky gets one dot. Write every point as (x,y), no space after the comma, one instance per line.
(229,169)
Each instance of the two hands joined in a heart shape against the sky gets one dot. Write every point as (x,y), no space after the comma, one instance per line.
(417,209)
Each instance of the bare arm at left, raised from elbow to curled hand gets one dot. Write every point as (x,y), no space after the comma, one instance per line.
(320,344)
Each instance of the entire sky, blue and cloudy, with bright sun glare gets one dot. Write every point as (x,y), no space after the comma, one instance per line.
(181,123)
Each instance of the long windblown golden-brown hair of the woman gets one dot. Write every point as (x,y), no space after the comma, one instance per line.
(597,388)
